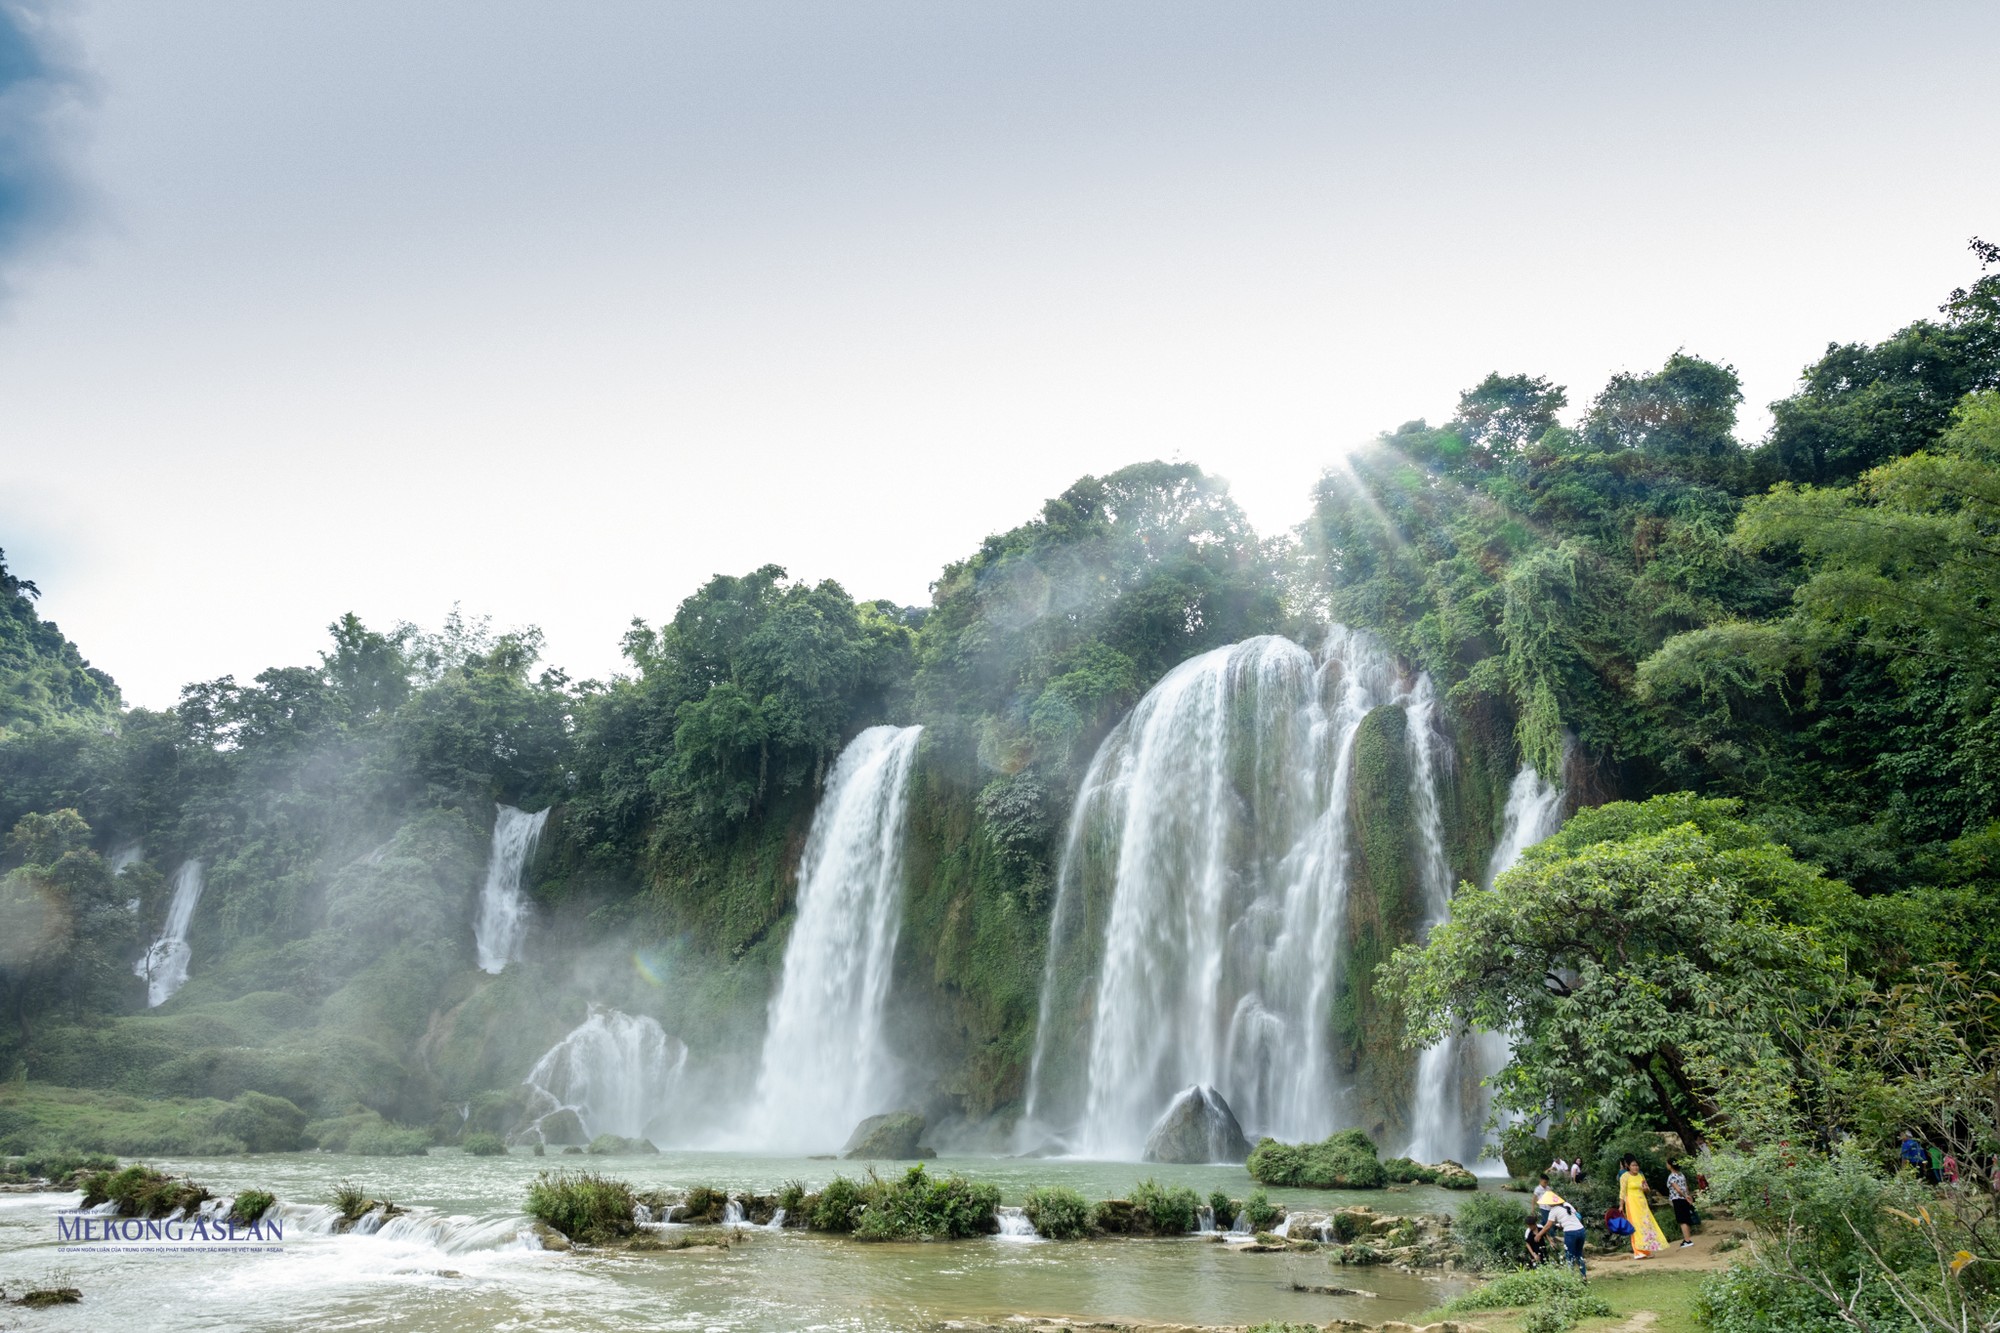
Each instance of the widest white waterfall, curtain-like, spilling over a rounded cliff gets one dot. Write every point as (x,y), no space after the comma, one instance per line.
(1211,834)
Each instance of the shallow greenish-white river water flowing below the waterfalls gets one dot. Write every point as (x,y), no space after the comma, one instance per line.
(465,1272)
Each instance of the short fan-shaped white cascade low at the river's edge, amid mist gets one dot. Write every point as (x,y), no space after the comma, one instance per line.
(611,1076)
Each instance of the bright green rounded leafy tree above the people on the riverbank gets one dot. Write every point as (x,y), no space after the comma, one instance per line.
(1635,944)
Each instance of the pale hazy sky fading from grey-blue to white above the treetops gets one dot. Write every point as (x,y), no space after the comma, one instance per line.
(561,309)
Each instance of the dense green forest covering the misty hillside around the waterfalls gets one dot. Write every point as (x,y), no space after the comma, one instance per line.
(1771,665)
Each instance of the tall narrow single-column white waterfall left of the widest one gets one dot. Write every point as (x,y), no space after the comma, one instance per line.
(825,1062)
